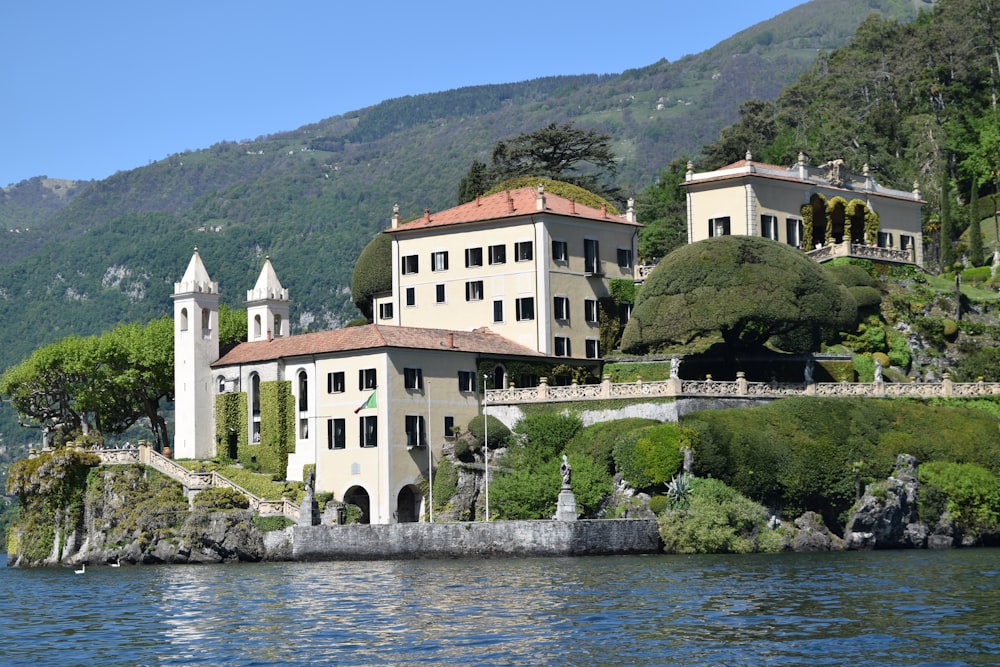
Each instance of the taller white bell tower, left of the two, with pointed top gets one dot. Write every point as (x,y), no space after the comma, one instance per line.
(196,346)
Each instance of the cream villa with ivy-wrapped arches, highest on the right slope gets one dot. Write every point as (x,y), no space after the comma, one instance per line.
(823,210)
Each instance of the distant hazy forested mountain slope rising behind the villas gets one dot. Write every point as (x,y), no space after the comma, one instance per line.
(312,198)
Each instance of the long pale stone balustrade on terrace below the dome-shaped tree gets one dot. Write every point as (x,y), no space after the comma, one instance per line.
(740,388)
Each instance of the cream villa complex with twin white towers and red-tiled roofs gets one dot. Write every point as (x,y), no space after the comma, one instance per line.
(503,289)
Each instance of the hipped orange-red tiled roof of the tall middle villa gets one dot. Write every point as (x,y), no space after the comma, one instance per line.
(509,204)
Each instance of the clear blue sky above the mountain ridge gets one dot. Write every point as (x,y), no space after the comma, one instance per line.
(91,89)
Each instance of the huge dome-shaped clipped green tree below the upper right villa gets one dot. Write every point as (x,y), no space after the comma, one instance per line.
(747,290)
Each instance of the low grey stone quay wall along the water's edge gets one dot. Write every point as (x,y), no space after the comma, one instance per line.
(474,540)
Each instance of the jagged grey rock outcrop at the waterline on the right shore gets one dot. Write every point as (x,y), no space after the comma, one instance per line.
(886,515)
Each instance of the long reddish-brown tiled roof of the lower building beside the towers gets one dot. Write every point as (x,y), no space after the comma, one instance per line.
(372,336)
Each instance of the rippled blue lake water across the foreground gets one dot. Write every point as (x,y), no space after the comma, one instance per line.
(858,608)
